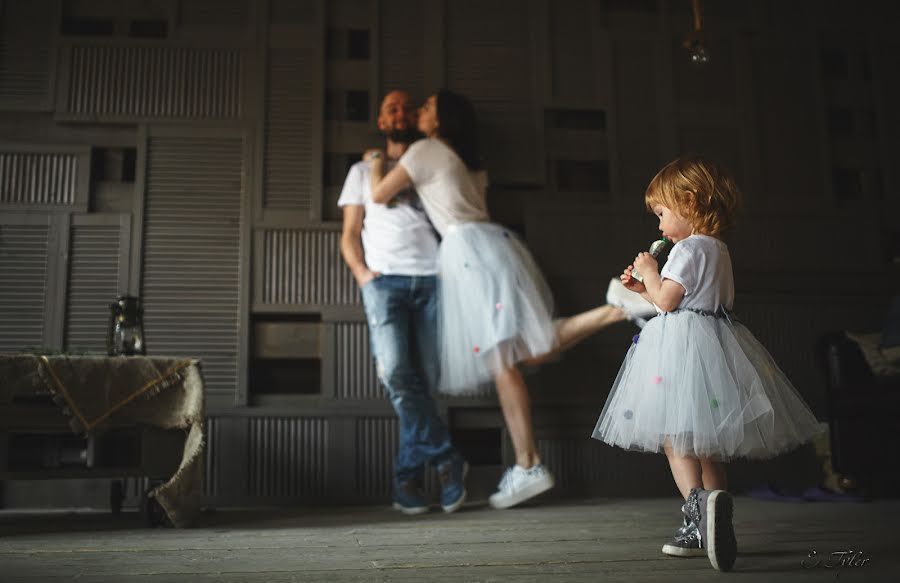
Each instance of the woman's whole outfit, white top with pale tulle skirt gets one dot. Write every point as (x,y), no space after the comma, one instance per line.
(496,309)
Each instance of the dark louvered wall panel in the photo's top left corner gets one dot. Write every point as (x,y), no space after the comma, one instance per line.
(25,41)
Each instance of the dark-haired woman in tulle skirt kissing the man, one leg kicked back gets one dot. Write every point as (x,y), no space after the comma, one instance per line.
(496,309)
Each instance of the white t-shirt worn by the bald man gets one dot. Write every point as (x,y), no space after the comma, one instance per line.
(397,237)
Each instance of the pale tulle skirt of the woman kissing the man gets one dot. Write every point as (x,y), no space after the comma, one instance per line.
(496,309)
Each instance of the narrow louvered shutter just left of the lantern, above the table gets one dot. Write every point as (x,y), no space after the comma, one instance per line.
(93,285)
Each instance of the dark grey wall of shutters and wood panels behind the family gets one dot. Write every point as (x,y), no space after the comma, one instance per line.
(192,152)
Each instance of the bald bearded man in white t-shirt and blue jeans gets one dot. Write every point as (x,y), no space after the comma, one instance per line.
(392,251)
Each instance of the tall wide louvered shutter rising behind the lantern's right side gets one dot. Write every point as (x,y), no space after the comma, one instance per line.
(192,253)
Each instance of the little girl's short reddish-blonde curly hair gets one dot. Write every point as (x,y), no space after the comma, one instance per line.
(701,191)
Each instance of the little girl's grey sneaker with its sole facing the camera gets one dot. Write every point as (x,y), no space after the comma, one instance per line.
(712,511)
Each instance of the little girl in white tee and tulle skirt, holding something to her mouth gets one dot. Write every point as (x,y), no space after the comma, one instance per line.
(696,383)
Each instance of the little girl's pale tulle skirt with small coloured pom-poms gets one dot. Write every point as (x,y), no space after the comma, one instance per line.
(707,386)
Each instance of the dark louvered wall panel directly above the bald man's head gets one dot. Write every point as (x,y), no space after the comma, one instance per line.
(403,47)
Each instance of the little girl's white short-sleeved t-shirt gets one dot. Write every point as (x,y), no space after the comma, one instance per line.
(702,265)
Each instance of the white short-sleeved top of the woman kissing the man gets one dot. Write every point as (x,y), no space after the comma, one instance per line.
(451,193)
